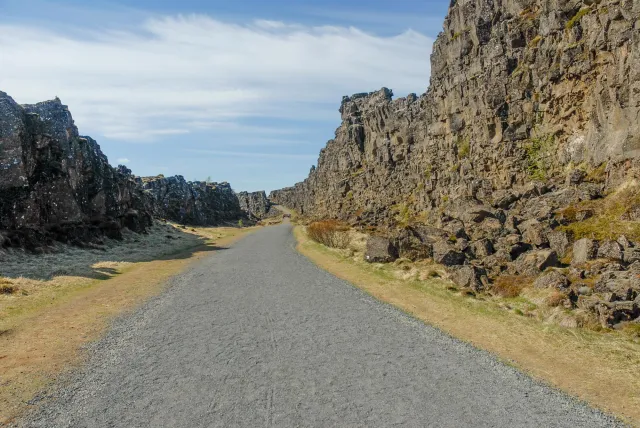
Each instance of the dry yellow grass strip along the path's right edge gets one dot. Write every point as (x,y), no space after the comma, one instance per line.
(599,368)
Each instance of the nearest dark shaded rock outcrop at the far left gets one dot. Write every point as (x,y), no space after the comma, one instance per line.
(58,185)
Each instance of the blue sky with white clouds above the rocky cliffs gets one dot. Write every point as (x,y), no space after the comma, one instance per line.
(240,91)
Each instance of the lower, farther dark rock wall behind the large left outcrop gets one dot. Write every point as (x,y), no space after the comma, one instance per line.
(194,202)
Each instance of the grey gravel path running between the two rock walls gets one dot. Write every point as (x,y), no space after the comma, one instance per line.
(257,336)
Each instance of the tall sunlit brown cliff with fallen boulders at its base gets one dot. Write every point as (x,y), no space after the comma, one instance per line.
(533,107)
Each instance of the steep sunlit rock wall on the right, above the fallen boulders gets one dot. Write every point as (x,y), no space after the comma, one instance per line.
(521,91)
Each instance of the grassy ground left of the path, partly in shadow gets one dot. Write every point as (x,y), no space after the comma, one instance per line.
(55,303)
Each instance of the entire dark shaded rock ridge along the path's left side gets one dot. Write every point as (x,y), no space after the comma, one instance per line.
(56,185)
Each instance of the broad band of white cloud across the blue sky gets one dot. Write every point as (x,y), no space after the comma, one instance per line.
(173,74)
